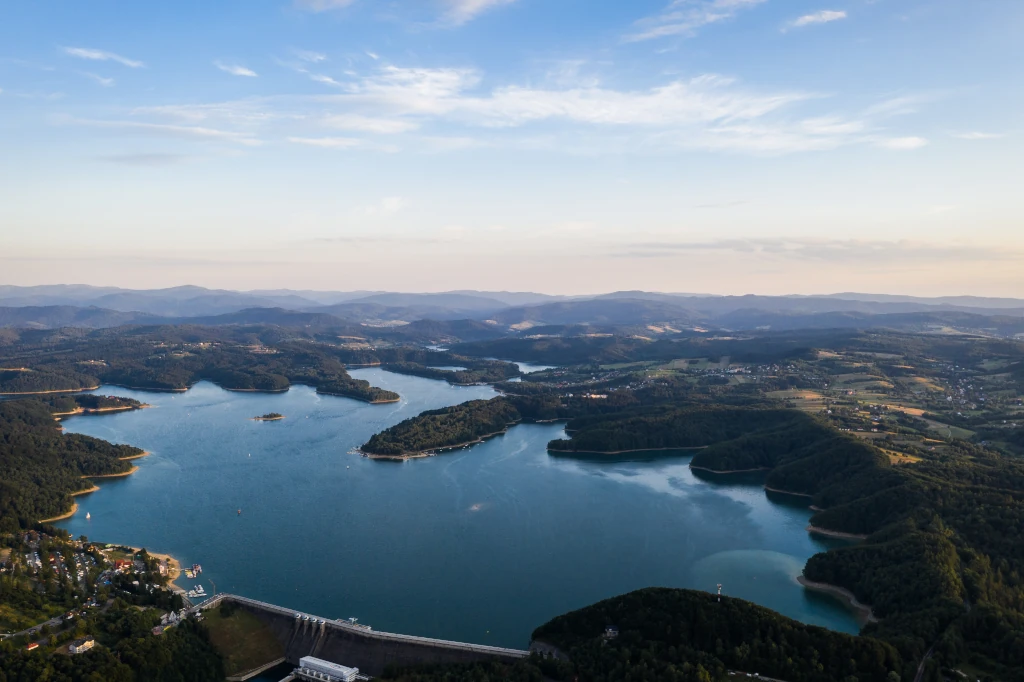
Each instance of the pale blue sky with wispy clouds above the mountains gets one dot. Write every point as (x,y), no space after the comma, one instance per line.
(570,147)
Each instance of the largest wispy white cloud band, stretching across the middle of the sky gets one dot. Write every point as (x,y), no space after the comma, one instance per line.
(709,112)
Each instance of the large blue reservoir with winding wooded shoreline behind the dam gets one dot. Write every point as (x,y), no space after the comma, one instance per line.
(480,545)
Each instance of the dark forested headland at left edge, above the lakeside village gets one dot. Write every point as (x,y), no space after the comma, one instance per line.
(40,467)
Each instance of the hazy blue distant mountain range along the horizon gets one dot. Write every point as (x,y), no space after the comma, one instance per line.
(461,315)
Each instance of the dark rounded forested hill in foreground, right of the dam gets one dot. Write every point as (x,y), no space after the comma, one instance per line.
(686,635)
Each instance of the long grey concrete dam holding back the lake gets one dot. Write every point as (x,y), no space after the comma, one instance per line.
(358,647)
